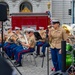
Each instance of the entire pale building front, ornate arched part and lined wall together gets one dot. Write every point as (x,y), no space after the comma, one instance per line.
(60,9)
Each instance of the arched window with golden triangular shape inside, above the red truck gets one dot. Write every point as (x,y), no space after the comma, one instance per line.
(26,7)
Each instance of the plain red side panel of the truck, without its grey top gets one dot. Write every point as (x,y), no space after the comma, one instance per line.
(39,21)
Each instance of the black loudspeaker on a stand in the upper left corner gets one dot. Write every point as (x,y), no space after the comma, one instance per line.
(3,12)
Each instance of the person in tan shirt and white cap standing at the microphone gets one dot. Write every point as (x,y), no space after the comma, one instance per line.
(56,35)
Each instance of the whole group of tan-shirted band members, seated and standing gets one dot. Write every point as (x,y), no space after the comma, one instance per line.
(17,43)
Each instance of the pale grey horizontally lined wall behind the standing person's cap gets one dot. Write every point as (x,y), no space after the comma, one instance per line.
(62,10)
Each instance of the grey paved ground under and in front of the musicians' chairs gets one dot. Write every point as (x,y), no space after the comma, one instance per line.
(29,67)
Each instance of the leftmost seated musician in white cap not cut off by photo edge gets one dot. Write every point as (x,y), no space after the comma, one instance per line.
(9,41)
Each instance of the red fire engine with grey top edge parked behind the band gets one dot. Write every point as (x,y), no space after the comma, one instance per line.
(34,20)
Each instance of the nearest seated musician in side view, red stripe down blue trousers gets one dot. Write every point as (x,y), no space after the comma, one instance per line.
(20,50)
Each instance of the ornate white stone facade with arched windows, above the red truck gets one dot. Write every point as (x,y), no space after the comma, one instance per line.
(16,6)
